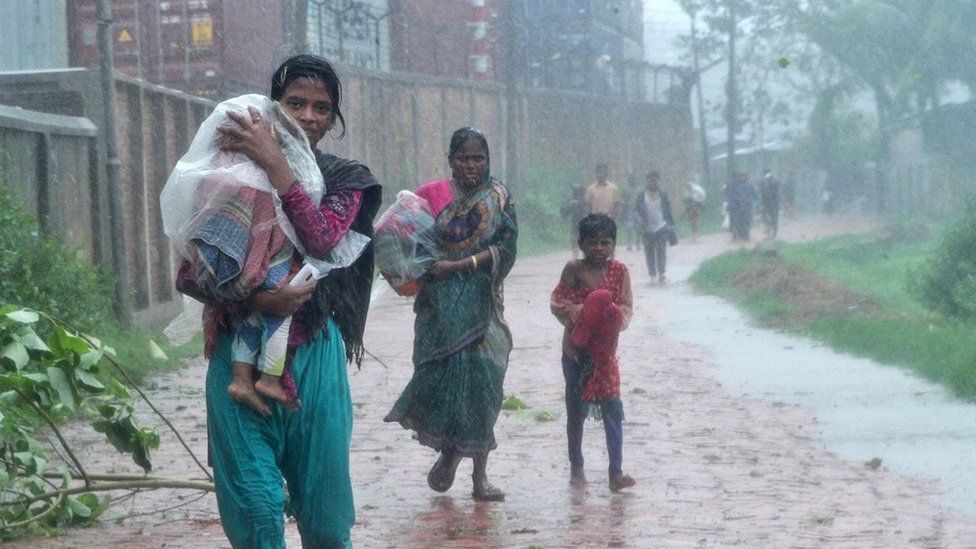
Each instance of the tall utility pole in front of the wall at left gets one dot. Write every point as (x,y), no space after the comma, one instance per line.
(113,165)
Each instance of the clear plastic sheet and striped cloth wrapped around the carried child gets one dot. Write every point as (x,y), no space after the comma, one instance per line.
(224,216)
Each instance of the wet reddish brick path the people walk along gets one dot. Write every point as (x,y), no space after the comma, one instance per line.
(712,469)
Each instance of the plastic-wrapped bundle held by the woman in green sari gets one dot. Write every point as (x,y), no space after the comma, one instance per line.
(405,242)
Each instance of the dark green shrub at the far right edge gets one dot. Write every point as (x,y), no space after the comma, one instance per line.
(947,284)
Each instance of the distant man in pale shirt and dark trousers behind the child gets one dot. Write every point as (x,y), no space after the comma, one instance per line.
(656,225)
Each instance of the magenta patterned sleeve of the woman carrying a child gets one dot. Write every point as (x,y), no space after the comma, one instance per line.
(320,227)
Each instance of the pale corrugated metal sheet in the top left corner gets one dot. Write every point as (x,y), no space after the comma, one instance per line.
(34,34)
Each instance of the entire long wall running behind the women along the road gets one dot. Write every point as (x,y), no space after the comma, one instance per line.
(398,125)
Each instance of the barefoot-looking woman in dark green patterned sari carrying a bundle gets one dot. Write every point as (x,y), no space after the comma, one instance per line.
(461,341)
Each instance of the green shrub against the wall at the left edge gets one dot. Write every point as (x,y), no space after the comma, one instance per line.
(38,271)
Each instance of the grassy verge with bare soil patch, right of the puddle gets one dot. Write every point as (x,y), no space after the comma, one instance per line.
(851,293)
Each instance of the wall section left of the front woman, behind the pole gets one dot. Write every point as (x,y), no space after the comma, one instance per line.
(52,151)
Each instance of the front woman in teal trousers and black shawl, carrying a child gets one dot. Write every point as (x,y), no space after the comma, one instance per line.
(253,445)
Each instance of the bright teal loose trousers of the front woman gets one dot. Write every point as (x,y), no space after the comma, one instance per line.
(254,457)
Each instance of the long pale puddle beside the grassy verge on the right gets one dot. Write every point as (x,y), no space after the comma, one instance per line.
(865,410)
